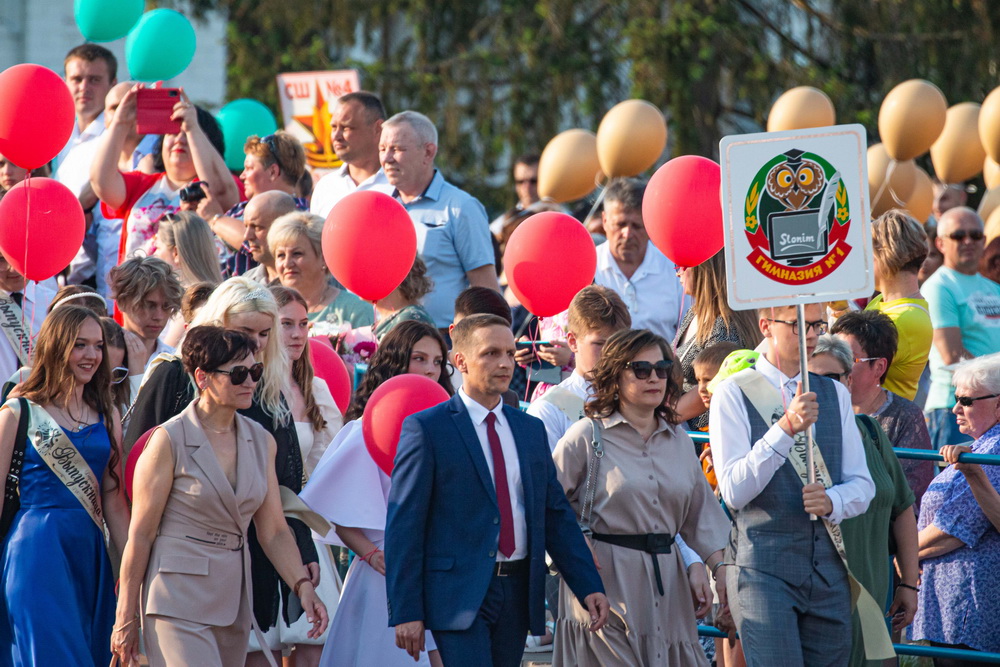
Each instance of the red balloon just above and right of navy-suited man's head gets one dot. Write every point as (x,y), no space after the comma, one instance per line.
(549,258)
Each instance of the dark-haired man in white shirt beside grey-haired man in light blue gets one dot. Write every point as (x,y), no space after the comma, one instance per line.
(356,125)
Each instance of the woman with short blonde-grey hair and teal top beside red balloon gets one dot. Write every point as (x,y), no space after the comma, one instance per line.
(295,240)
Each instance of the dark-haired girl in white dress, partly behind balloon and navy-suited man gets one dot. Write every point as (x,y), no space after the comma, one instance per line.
(348,489)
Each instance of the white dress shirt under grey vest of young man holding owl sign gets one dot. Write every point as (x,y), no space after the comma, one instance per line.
(743,470)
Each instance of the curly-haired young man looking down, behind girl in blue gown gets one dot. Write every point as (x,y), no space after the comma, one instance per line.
(147,293)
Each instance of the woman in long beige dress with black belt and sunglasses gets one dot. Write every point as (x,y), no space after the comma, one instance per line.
(647,488)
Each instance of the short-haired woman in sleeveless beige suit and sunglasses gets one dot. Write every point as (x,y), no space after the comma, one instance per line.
(200,480)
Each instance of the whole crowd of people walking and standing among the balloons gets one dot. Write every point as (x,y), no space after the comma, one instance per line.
(163,385)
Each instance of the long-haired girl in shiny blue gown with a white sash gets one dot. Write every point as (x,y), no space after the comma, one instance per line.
(58,601)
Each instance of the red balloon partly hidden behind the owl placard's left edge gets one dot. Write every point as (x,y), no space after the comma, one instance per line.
(682,209)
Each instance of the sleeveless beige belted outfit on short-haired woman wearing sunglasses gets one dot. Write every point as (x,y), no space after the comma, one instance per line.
(196,603)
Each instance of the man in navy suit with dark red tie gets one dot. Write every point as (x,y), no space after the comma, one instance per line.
(465,556)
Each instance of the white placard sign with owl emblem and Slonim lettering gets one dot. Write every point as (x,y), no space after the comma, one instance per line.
(796,216)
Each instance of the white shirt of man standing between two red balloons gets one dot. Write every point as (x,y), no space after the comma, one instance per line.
(654,296)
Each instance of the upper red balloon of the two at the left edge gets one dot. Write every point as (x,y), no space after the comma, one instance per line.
(36,117)
